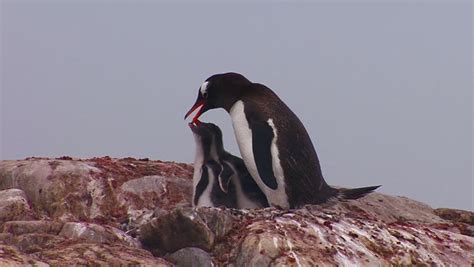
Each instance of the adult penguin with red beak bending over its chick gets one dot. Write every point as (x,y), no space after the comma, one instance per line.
(273,142)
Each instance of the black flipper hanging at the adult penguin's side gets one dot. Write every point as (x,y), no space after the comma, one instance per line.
(262,137)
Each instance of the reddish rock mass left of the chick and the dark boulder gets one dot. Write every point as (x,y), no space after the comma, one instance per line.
(77,212)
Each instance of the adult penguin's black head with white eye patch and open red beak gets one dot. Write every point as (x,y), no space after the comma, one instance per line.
(218,91)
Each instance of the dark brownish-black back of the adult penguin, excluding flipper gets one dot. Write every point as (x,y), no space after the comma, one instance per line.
(304,180)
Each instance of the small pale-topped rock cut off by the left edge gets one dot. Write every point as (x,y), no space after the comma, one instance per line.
(13,205)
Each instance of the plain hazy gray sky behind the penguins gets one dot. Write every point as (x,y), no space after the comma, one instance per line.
(384,90)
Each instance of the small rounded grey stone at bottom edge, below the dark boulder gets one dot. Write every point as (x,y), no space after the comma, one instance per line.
(190,257)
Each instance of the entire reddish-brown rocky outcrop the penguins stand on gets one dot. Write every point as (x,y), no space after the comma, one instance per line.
(107,211)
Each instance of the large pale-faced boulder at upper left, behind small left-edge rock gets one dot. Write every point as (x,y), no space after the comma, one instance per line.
(58,189)
